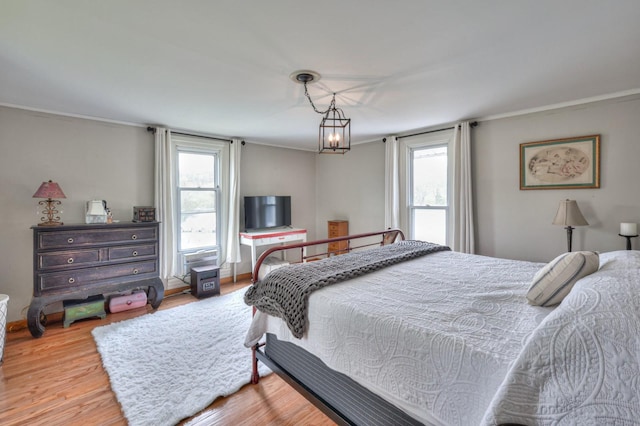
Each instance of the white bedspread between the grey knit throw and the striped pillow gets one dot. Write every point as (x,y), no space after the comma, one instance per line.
(435,335)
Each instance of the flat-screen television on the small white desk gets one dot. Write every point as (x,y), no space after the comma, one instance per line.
(267,211)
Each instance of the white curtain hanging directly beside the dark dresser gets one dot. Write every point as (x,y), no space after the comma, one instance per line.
(163,200)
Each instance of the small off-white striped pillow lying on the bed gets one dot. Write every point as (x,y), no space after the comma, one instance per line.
(554,281)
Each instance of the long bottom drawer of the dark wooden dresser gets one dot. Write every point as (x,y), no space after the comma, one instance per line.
(52,281)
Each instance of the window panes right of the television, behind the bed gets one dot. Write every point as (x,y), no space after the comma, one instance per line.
(428,203)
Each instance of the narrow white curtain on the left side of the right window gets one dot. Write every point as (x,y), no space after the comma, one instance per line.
(392,183)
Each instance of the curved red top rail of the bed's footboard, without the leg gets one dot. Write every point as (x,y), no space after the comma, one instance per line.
(386,237)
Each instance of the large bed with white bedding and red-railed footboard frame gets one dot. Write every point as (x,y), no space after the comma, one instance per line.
(447,338)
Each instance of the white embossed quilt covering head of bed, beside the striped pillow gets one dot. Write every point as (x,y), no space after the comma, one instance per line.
(582,364)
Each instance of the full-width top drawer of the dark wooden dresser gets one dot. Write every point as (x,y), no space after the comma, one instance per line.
(79,238)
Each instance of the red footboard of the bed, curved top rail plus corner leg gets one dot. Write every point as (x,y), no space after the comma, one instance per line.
(385,237)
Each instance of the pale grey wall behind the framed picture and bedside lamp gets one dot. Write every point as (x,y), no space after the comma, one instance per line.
(517,224)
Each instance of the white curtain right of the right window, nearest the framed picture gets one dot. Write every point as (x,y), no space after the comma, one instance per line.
(463,229)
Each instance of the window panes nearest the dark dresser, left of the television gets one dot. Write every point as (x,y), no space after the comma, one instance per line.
(198,200)
